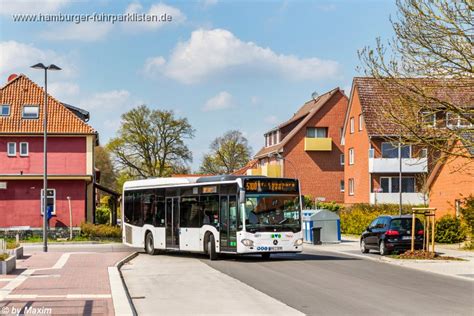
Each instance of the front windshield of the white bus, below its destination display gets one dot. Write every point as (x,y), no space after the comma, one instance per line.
(270,212)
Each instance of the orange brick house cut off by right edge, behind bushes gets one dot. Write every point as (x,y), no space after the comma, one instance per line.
(452,179)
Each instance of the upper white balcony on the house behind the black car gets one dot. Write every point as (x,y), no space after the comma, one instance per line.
(392,165)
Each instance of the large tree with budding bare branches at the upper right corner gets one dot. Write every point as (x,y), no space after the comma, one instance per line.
(428,66)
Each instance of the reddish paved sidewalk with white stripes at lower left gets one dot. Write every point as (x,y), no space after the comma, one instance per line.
(60,282)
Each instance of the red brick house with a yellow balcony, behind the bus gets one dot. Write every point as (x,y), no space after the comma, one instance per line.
(308,147)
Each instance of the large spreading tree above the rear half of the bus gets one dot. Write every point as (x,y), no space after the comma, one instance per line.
(150,143)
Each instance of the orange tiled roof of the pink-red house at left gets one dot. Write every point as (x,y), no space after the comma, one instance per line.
(22,91)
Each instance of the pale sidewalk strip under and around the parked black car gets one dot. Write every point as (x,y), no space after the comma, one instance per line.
(458,269)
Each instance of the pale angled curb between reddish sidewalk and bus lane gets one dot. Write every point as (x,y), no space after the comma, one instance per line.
(121,299)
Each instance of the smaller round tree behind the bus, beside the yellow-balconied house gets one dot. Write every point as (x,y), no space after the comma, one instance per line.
(228,153)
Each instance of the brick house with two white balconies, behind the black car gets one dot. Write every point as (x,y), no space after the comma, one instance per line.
(372,166)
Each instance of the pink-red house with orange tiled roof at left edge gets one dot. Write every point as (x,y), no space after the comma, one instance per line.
(71,144)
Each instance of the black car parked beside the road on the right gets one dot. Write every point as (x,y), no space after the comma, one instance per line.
(391,234)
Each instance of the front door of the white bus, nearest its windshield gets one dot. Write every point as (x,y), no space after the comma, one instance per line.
(228,223)
